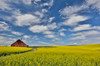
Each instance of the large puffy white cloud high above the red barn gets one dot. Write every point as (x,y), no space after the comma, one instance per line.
(26,19)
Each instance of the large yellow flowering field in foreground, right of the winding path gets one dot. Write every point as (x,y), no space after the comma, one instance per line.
(85,55)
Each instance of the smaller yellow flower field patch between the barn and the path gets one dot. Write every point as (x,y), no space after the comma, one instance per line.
(12,50)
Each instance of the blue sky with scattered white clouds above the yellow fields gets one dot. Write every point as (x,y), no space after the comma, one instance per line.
(50,22)
